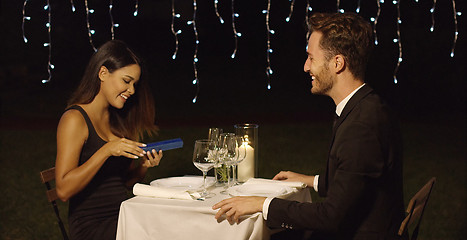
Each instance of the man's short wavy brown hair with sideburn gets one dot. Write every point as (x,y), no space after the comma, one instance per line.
(346,34)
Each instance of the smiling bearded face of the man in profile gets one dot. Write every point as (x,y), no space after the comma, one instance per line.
(317,66)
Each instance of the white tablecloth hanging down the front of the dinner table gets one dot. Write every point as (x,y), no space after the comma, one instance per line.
(144,218)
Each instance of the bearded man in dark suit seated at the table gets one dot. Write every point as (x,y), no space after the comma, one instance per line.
(362,184)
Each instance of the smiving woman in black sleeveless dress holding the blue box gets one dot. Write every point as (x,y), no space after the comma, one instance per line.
(98,141)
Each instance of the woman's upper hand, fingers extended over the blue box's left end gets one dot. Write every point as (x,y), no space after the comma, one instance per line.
(125,147)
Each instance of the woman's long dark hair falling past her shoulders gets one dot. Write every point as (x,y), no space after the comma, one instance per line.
(138,115)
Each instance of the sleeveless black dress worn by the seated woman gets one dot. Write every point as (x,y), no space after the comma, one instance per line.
(93,212)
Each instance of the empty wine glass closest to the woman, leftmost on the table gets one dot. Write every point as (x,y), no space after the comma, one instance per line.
(204,160)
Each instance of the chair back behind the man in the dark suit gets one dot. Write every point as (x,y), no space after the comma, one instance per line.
(415,210)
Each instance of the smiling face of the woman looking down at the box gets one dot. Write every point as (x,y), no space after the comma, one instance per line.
(118,86)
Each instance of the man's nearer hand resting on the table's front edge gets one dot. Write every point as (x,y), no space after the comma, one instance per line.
(236,207)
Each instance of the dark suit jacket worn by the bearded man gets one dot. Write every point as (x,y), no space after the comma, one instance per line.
(362,184)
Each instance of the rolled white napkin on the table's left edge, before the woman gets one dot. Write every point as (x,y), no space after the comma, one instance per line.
(161,192)
